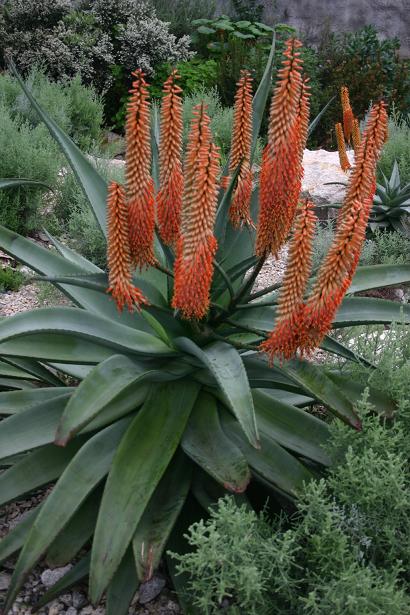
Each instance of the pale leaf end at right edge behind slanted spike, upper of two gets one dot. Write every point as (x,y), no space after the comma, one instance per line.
(378,276)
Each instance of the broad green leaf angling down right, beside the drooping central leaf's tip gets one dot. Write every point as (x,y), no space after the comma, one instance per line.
(295,429)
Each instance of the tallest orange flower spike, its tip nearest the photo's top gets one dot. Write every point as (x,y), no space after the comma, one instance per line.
(281,171)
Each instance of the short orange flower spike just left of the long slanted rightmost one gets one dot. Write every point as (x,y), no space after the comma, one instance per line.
(287,334)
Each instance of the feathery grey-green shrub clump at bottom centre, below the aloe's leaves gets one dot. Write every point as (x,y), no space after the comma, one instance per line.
(238,557)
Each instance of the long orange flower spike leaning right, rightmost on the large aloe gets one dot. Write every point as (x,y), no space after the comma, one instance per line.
(339,266)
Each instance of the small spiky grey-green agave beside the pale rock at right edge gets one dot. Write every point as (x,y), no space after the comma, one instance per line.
(391,203)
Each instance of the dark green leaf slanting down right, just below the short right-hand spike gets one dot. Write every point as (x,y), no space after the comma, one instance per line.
(313,379)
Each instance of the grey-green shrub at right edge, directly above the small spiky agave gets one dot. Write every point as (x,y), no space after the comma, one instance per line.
(397,147)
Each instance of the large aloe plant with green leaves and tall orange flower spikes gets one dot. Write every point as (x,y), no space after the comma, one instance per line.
(199,388)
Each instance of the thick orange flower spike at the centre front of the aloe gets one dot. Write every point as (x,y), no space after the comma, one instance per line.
(197,245)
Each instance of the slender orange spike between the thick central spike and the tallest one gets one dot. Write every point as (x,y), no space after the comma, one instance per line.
(241,152)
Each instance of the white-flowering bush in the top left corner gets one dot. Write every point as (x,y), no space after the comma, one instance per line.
(87,38)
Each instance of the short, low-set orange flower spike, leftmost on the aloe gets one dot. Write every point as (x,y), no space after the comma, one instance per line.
(119,257)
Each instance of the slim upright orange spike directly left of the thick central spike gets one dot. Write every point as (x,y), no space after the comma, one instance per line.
(169,199)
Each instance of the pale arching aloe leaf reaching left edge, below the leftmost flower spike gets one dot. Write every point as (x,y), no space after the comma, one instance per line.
(78,324)
